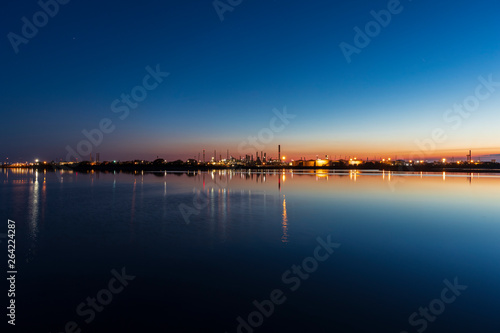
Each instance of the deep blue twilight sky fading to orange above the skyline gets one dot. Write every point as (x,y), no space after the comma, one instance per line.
(249,76)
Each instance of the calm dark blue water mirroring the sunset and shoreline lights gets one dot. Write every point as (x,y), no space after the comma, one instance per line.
(203,247)
